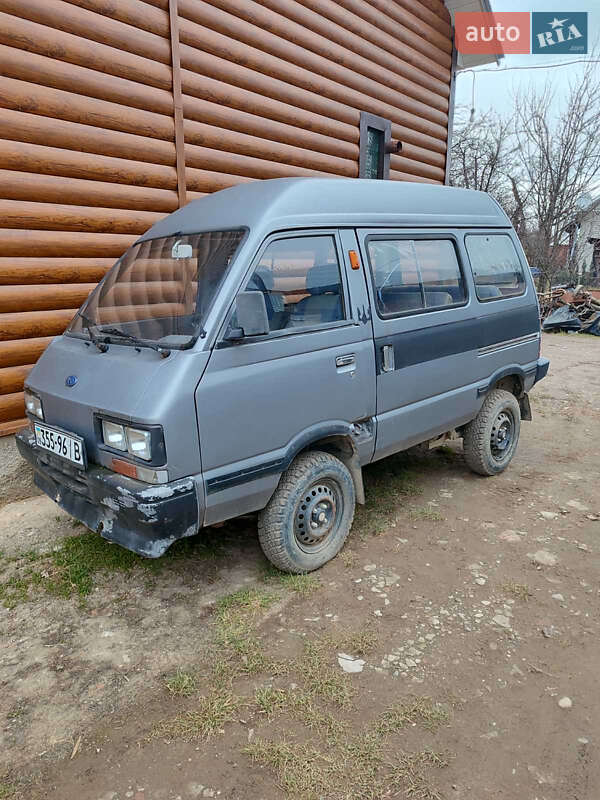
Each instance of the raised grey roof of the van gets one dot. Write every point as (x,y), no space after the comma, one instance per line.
(283,203)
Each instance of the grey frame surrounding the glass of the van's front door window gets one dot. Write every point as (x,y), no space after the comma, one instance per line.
(283,332)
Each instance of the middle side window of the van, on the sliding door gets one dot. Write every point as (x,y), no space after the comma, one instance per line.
(415,275)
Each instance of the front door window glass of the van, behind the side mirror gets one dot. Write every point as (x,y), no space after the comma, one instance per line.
(301,282)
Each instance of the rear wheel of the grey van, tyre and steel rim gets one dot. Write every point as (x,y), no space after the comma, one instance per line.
(491,439)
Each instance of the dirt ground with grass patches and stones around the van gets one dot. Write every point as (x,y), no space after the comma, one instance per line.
(451,650)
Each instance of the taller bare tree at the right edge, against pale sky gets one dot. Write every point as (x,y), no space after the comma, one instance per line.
(558,148)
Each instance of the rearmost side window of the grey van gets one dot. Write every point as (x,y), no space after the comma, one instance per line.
(496,267)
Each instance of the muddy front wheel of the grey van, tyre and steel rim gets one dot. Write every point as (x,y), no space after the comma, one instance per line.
(309,516)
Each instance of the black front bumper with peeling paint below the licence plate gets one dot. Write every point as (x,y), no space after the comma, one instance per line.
(144,518)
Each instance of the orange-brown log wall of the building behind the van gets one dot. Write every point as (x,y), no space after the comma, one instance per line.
(115,112)
